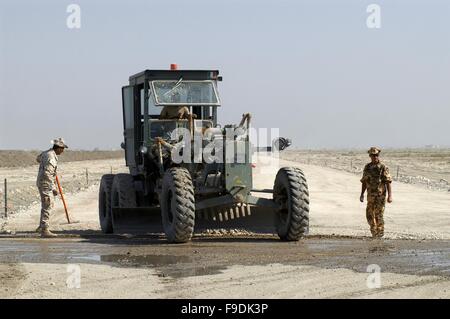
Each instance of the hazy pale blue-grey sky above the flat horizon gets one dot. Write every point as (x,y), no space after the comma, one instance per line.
(312,68)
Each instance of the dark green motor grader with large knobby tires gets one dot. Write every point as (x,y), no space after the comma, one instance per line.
(174,182)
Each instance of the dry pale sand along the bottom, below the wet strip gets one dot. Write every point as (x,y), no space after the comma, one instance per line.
(269,281)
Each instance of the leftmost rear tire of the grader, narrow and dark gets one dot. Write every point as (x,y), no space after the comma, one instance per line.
(104,203)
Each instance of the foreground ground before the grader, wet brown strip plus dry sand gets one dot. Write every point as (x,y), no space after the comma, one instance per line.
(219,268)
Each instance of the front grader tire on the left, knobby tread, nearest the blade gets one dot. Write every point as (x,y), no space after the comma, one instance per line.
(178,205)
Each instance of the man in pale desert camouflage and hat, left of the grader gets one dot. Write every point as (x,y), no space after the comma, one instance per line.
(48,163)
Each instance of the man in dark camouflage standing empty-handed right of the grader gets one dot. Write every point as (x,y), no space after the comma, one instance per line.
(376,180)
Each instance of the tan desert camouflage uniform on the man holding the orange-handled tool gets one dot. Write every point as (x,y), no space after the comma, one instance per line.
(46,183)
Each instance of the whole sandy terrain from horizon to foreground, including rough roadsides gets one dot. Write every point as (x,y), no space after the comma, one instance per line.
(333,261)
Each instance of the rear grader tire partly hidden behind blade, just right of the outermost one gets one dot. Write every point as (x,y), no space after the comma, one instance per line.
(123,194)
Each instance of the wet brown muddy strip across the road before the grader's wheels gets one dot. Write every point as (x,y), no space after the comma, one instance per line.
(209,256)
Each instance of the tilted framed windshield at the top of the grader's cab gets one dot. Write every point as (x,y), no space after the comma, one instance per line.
(181,92)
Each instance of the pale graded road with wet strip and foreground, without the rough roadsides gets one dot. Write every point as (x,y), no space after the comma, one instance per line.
(417,219)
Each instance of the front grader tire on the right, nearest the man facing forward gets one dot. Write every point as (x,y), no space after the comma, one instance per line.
(291,193)
